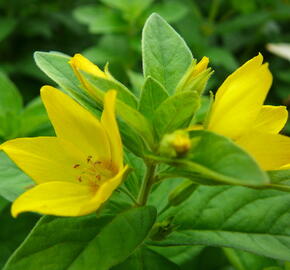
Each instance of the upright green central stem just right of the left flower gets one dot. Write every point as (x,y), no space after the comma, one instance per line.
(147,183)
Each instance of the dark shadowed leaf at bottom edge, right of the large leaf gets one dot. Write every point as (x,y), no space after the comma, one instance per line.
(146,259)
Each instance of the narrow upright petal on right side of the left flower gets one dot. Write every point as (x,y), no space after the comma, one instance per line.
(109,123)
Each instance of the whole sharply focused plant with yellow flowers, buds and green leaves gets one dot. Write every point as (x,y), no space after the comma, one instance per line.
(143,181)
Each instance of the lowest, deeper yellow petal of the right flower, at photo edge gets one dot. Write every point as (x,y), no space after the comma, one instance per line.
(272,151)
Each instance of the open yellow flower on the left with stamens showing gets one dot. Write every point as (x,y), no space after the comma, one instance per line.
(77,170)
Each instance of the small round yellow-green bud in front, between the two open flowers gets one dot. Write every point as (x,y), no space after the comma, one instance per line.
(175,144)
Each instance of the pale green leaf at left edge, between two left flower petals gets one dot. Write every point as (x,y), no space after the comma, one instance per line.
(13,181)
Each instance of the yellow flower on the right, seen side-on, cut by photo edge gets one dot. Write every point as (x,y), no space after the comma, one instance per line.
(238,113)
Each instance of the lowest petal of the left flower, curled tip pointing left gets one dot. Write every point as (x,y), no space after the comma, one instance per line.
(55,198)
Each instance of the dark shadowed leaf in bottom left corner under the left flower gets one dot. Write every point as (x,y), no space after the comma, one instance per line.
(13,231)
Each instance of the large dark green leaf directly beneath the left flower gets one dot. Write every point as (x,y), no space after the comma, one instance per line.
(83,243)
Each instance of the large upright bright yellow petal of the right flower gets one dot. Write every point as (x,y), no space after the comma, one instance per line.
(240,98)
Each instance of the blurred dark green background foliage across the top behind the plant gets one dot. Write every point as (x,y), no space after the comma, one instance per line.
(228,32)
